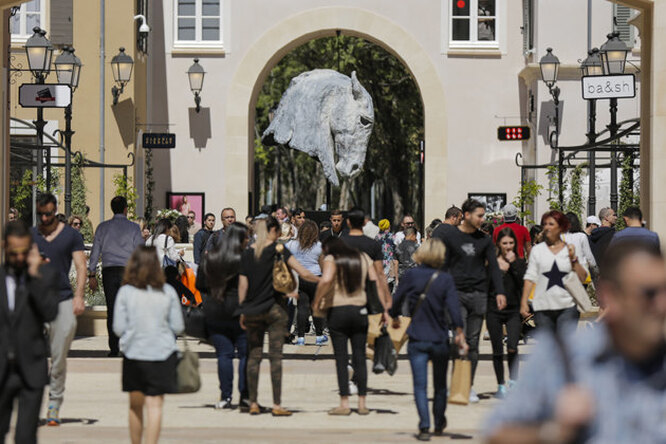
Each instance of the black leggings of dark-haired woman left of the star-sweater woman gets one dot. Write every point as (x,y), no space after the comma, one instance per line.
(494,321)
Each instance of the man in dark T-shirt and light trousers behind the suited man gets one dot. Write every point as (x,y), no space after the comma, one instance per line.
(60,244)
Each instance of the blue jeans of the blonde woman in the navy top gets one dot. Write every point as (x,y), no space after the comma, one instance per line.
(420,352)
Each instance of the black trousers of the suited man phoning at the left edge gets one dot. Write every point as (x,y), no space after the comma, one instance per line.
(29,402)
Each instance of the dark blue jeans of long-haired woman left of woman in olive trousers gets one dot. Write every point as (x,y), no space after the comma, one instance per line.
(233,339)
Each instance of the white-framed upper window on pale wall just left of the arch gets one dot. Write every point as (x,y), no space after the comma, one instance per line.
(198,23)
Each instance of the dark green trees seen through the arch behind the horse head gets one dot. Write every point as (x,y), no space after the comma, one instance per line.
(392,161)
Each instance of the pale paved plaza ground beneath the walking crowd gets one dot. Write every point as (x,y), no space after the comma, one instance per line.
(95,409)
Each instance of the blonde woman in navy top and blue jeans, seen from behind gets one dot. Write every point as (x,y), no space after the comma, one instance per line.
(430,294)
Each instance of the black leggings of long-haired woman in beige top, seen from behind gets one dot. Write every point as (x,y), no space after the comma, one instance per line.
(347,323)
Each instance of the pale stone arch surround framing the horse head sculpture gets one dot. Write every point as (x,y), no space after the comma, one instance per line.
(278,41)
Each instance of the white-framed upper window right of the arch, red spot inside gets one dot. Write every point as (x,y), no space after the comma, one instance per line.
(473,24)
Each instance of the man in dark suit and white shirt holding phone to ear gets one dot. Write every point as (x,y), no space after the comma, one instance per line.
(28,299)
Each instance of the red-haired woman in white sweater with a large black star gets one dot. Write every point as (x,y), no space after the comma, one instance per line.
(550,261)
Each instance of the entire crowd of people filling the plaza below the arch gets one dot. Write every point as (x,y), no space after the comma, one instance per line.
(456,276)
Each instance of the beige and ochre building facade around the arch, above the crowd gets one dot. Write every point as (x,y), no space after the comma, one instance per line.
(475,63)
